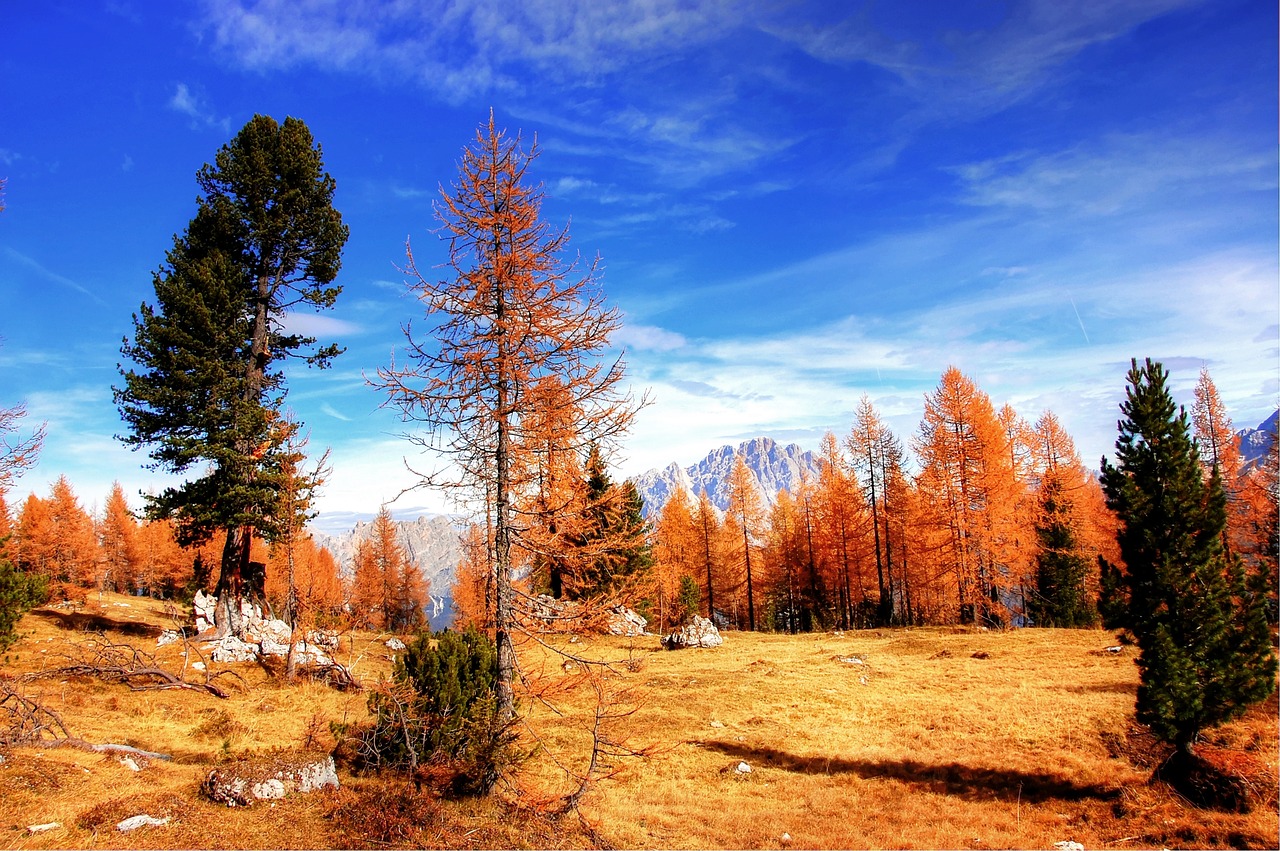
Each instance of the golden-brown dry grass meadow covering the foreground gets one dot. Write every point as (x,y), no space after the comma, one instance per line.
(935,739)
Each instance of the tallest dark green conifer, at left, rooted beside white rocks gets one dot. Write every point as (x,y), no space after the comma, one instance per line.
(208,387)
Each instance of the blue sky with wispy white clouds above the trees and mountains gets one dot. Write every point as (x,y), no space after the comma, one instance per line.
(796,203)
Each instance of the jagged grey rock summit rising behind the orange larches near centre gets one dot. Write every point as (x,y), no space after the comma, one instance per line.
(776,469)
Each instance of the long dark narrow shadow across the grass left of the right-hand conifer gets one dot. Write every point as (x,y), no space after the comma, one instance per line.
(945,779)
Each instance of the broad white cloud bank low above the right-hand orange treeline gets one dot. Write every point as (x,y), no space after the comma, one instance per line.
(1022,346)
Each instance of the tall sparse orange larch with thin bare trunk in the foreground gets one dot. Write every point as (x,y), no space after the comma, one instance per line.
(510,314)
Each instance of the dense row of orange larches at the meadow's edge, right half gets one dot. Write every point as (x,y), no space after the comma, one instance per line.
(998,524)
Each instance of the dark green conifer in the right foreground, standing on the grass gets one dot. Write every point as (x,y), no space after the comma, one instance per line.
(1206,653)
